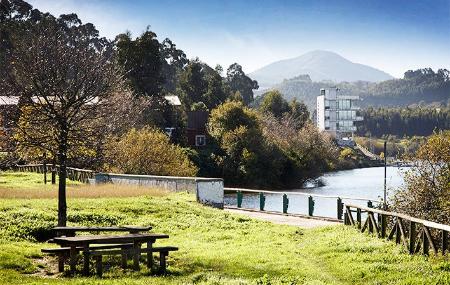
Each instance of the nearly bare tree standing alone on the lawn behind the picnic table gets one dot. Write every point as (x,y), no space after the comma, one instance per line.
(64,73)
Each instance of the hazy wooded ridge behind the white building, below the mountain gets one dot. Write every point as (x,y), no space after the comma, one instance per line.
(417,87)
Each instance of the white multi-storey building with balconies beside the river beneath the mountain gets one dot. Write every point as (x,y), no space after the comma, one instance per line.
(337,113)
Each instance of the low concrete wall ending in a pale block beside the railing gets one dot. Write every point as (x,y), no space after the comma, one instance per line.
(208,191)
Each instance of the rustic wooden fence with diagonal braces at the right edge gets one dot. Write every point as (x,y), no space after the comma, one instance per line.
(414,234)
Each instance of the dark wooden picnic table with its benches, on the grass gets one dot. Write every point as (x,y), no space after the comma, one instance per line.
(134,240)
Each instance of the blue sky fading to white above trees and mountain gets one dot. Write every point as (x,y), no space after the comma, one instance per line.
(391,35)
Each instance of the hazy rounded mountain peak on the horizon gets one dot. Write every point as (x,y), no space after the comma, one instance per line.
(319,65)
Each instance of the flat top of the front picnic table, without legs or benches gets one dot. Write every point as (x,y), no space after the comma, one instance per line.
(105,239)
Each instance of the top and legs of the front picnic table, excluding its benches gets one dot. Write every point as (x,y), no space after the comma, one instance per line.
(85,241)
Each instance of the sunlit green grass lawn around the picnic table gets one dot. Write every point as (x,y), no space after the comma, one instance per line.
(215,247)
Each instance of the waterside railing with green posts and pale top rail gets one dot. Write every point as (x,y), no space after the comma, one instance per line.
(285,200)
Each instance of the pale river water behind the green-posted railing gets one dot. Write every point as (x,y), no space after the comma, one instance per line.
(357,183)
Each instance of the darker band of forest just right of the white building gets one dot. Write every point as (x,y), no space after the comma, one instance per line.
(402,122)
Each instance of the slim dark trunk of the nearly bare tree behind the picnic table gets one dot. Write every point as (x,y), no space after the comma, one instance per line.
(62,157)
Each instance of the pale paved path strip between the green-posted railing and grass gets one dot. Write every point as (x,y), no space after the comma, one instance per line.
(278,218)
